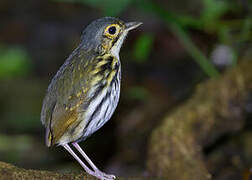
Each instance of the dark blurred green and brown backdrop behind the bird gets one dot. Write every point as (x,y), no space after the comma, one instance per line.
(180,44)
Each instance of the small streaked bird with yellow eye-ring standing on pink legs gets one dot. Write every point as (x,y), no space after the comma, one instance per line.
(85,91)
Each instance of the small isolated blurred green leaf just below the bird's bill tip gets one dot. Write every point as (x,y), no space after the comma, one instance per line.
(143,46)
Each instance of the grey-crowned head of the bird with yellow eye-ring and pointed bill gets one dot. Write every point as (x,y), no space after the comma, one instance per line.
(106,35)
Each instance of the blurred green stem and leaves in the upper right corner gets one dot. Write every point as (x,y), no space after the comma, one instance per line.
(210,20)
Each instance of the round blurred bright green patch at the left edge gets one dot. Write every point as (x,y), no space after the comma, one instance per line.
(14,62)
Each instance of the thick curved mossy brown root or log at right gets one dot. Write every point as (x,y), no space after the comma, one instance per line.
(215,109)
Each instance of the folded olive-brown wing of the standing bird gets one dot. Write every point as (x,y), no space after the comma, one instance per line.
(66,93)
